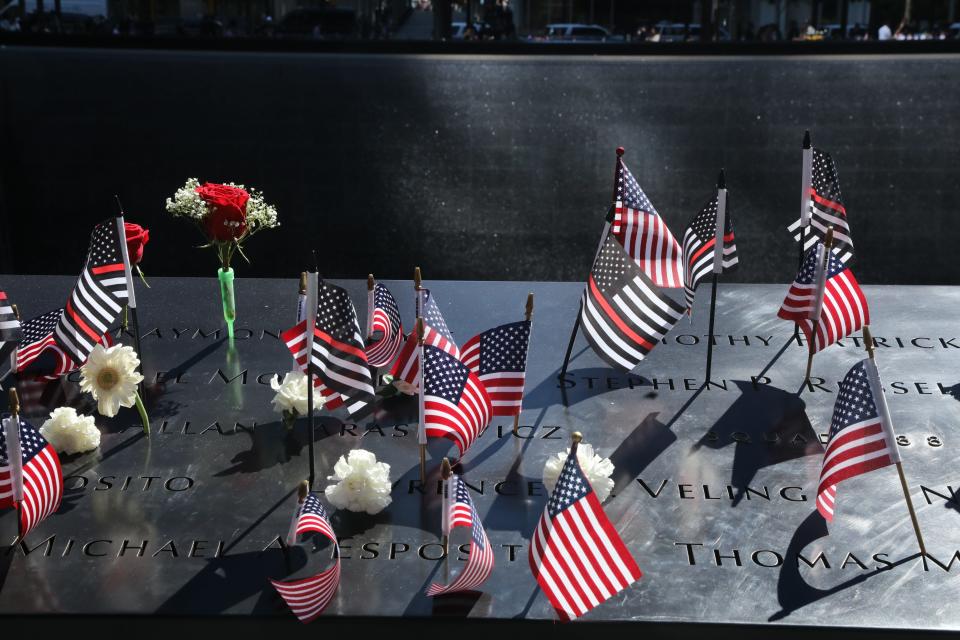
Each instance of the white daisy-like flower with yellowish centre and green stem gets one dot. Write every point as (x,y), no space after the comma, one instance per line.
(111,377)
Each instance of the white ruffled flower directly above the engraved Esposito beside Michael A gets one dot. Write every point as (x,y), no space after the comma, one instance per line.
(362,483)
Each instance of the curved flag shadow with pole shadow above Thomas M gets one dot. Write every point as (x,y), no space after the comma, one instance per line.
(793,592)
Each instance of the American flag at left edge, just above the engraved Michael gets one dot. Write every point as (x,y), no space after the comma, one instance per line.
(35,485)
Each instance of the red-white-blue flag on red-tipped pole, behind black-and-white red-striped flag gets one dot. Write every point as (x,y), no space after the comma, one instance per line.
(643,234)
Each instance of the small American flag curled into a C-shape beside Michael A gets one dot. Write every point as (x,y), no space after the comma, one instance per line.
(307,598)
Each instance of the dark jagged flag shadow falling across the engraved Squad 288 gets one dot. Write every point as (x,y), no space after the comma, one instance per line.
(768,426)
